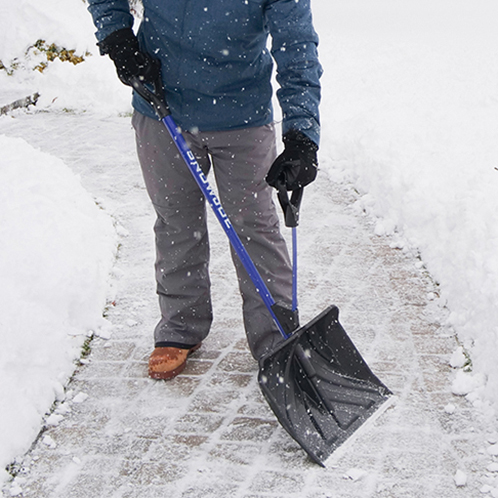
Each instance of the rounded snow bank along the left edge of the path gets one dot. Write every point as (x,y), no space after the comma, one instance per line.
(57,248)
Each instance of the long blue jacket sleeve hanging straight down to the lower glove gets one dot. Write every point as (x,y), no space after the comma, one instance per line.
(294,48)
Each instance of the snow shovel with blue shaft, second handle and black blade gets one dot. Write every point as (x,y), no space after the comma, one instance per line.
(316,382)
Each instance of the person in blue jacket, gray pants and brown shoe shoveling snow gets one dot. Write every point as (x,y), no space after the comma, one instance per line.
(216,72)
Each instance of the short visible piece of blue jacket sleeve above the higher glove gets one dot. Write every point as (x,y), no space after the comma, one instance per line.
(109,16)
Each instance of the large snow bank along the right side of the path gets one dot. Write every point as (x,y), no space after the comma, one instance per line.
(411,118)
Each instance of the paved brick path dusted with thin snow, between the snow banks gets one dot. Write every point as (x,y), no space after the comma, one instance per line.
(209,433)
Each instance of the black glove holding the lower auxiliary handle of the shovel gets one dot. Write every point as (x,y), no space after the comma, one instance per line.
(297,166)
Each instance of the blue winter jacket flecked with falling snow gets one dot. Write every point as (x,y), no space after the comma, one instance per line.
(215,63)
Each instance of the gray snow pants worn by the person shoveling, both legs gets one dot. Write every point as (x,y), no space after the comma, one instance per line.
(240,160)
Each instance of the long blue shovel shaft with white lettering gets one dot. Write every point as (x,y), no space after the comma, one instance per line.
(220,214)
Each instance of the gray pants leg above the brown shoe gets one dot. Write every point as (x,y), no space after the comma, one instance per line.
(182,246)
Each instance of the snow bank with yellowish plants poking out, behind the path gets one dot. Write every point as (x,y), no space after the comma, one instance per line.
(87,86)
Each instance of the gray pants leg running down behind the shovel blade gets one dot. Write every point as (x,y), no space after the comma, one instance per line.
(241,160)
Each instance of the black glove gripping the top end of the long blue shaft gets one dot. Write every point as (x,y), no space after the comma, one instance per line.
(122,47)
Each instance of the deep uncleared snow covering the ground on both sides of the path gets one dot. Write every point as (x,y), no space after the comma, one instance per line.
(410,117)
